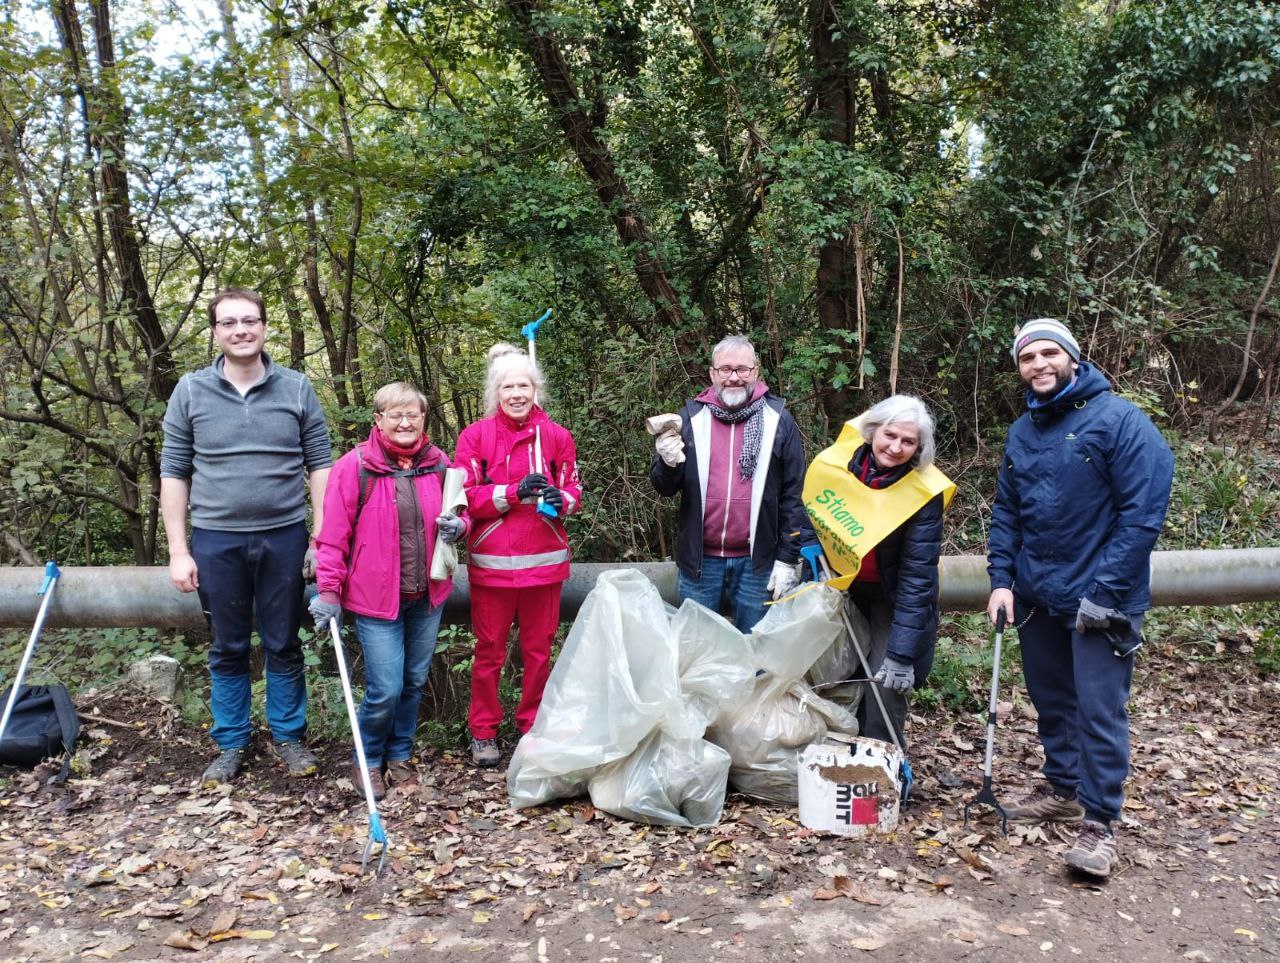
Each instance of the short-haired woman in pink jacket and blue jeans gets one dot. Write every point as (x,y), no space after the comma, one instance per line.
(382,514)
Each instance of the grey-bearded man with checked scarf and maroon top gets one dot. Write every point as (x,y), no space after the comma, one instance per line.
(739,467)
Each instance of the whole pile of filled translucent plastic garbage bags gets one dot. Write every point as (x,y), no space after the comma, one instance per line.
(651,713)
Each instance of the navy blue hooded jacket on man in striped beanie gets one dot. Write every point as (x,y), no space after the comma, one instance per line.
(1081,501)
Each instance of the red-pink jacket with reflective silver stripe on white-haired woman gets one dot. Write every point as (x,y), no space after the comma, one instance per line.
(510,544)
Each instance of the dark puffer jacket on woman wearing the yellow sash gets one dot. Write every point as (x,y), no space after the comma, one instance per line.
(908,564)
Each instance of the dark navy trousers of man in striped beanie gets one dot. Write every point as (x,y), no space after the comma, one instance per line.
(1081,691)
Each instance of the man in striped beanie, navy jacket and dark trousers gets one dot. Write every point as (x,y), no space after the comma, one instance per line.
(1081,500)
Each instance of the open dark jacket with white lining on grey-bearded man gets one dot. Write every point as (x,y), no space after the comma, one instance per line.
(780,514)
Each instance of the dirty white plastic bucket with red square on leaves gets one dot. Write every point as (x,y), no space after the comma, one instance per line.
(851,791)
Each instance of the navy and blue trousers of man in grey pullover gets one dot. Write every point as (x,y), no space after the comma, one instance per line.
(248,578)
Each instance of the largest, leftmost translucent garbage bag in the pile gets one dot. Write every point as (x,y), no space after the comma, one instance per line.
(615,681)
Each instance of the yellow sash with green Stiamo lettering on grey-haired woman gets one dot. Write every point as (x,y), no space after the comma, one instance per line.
(851,518)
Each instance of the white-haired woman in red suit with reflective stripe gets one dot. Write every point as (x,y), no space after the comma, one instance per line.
(522,485)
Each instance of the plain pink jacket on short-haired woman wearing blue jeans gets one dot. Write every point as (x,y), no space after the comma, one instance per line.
(363,567)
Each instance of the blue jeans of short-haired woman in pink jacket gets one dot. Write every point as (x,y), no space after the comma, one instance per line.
(397,658)
